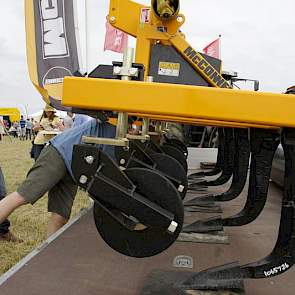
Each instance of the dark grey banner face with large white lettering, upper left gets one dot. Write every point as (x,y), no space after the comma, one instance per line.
(55,43)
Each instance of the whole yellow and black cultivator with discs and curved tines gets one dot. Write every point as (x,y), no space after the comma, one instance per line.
(138,198)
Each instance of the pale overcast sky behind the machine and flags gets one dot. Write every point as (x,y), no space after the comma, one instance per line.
(257,41)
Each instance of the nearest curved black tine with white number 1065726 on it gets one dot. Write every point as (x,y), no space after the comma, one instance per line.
(281,259)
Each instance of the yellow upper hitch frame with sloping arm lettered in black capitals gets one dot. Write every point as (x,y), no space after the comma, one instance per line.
(125,15)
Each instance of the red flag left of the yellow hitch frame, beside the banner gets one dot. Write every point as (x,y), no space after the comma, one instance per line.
(115,40)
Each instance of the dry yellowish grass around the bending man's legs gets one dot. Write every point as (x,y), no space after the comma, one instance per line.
(28,222)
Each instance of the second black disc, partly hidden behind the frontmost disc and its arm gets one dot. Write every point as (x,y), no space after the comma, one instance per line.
(172,168)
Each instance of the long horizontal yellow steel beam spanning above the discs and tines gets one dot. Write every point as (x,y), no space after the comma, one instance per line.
(181,101)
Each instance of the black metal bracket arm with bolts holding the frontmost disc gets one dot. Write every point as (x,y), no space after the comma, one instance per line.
(106,183)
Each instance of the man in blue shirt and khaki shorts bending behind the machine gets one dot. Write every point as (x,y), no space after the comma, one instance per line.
(52,173)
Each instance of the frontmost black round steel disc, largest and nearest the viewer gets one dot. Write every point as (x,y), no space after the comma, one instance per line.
(142,241)
